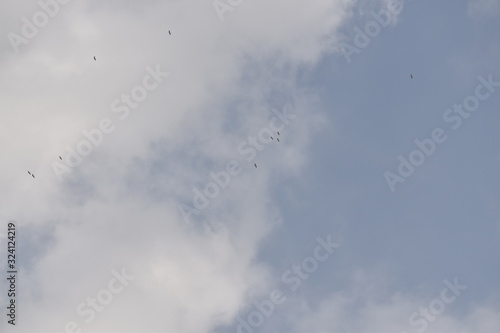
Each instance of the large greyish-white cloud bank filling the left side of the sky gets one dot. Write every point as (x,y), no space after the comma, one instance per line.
(119,207)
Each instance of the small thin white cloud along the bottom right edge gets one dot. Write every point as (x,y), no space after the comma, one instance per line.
(368,306)
